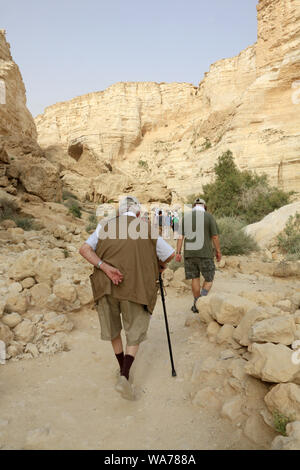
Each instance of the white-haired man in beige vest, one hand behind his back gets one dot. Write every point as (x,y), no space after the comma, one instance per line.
(124,281)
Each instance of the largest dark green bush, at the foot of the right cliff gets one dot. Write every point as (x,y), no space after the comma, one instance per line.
(243,194)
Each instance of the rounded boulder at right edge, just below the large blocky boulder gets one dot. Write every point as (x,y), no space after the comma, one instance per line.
(285,398)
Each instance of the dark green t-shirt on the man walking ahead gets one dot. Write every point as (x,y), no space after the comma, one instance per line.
(210,230)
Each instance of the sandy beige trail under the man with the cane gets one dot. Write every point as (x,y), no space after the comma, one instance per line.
(70,398)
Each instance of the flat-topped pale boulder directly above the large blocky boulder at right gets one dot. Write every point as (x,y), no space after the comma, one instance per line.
(279,329)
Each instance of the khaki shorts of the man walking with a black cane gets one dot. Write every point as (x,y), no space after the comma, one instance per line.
(134,317)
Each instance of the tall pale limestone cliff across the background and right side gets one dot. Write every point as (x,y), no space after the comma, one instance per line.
(133,134)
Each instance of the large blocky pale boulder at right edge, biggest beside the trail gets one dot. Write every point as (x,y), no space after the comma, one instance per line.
(272,363)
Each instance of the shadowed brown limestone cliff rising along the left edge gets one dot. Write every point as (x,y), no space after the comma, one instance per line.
(22,162)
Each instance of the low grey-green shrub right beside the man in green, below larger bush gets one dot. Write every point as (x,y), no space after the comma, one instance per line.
(233,239)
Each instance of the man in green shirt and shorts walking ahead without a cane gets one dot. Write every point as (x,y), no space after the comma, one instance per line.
(199,232)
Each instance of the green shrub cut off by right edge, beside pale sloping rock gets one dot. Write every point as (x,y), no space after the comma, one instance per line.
(289,239)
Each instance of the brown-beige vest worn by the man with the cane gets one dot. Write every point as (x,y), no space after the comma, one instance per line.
(137,261)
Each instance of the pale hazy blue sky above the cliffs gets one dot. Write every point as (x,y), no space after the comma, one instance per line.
(66,48)
